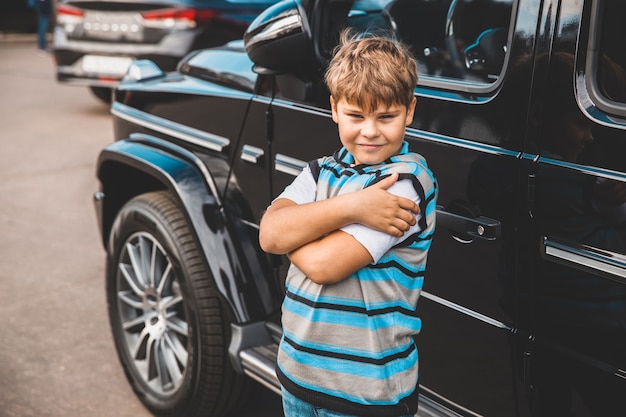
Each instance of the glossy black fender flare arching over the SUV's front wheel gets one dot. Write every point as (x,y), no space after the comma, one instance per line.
(159,164)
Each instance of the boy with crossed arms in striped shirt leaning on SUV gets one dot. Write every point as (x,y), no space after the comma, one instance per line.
(356,227)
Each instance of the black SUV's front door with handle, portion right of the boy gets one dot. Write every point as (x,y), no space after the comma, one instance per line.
(471,334)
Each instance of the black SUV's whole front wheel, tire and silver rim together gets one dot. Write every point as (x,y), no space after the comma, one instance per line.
(170,328)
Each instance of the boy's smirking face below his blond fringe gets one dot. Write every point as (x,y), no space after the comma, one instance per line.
(371,136)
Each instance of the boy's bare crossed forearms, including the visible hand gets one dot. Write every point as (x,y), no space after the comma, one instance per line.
(309,233)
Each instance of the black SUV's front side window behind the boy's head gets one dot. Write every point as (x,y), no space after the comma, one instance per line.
(453,40)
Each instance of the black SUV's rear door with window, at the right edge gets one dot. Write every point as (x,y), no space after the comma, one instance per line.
(577,285)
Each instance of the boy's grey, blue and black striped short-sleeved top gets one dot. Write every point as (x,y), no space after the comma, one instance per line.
(349,346)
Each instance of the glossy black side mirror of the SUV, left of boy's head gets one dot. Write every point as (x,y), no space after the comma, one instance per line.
(278,39)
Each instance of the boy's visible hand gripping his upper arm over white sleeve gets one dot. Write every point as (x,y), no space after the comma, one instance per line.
(376,208)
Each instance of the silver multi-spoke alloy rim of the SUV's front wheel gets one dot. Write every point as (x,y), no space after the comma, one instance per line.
(152,314)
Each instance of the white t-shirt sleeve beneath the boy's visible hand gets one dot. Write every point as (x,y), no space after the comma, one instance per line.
(376,242)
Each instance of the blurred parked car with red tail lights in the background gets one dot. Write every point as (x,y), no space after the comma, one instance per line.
(95,41)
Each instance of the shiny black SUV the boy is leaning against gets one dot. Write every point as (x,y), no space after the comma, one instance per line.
(521,114)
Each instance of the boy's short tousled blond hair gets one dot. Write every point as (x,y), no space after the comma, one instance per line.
(371,71)
